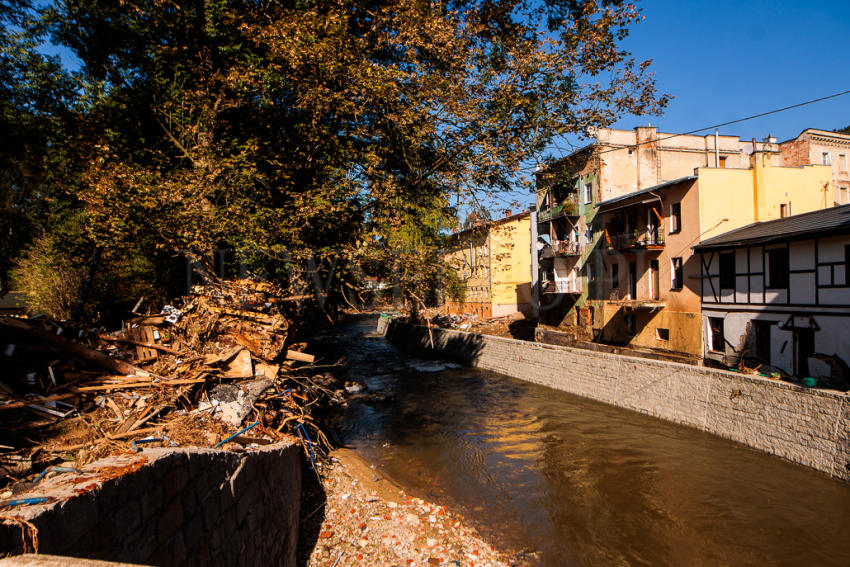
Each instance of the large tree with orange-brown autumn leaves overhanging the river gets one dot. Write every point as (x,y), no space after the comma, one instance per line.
(295,126)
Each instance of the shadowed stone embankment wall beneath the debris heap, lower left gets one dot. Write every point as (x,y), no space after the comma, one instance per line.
(169,507)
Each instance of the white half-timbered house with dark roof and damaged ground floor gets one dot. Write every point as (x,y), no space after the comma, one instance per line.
(778,293)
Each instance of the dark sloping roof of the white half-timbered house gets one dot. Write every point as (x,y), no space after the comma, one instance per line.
(824,222)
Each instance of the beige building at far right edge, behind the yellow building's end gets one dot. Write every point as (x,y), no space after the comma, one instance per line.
(822,147)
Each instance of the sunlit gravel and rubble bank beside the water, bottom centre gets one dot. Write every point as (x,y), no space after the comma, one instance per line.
(367,519)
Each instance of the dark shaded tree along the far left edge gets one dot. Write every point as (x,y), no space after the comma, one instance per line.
(35,97)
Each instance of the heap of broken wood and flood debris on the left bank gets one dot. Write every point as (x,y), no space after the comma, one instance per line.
(220,369)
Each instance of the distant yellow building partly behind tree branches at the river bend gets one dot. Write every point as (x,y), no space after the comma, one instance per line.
(493,259)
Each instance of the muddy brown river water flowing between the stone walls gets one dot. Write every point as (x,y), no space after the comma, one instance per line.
(570,481)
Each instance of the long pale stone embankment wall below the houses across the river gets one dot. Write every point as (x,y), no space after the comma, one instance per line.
(804,425)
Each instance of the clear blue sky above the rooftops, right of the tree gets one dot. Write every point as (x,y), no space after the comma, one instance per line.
(723,60)
